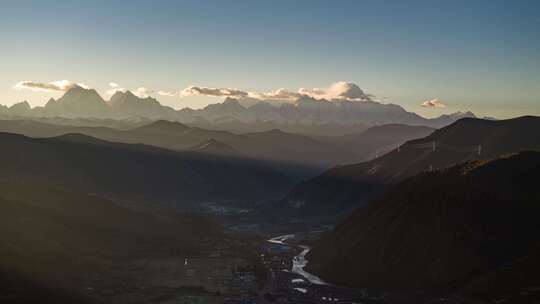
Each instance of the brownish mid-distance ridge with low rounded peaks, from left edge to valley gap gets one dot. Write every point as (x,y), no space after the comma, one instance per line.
(276,146)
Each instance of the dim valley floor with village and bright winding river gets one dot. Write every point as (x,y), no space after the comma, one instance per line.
(238,268)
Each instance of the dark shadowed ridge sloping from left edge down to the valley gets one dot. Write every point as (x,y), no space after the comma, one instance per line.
(137,172)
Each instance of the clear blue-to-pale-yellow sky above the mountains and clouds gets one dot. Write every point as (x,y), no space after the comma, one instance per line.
(482,56)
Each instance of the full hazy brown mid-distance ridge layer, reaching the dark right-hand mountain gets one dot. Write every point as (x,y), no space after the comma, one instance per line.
(273,145)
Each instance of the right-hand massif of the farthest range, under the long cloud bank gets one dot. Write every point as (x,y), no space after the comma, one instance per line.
(309,111)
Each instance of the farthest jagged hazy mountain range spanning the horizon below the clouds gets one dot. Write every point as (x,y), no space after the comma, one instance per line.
(79,102)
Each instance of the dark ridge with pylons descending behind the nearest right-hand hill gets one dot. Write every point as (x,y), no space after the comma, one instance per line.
(342,188)
